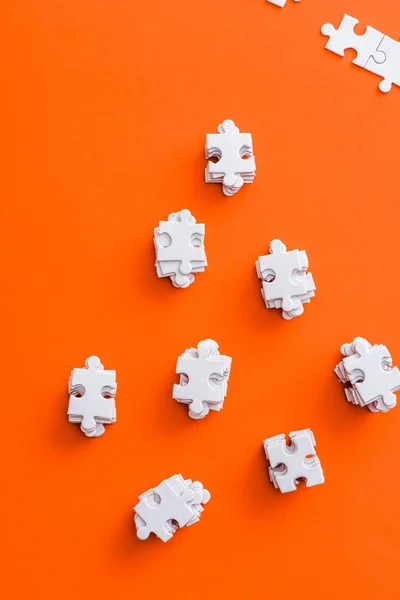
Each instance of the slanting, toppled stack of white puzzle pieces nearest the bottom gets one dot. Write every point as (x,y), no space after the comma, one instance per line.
(175,503)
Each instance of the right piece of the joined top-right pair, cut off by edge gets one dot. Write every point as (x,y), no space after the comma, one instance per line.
(387,66)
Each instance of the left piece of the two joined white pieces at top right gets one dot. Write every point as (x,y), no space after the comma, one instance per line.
(344,37)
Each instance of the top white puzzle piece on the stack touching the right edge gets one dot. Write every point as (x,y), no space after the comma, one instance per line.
(379,382)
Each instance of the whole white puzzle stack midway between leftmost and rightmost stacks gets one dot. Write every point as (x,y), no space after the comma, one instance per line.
(204,374)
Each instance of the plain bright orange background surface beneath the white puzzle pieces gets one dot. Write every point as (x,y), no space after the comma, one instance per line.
(106,106)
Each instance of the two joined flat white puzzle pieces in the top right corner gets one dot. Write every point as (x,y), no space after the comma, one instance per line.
(376,52)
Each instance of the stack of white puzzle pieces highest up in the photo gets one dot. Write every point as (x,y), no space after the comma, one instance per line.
(230,158)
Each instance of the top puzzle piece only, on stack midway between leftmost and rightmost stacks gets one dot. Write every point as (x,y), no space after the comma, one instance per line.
(200,370)
